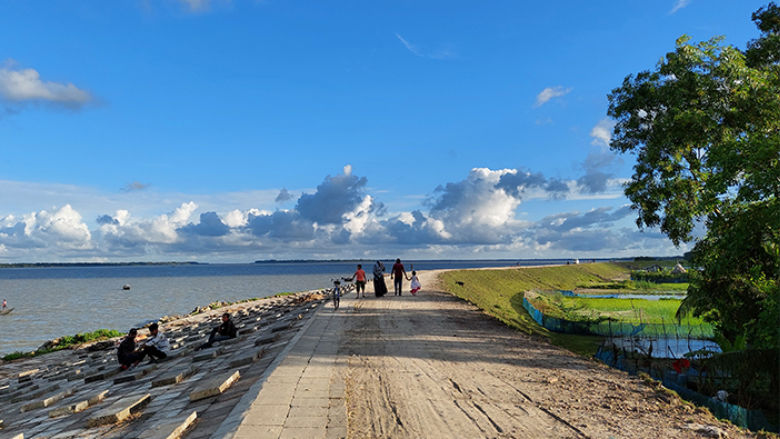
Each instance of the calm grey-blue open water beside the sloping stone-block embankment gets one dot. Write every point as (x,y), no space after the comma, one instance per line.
(51,302)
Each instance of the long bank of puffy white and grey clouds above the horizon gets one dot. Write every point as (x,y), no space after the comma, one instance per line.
(480,215)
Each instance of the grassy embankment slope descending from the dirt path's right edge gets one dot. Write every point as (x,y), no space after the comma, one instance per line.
(500,294)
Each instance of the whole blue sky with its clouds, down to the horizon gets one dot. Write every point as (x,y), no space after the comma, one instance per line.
(237,130)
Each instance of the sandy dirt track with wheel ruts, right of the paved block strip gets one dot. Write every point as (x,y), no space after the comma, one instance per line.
(436,366)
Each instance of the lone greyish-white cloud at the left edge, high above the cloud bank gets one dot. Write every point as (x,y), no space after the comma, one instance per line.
(25,85)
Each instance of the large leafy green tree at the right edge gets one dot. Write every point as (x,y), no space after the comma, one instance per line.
(704,126)
